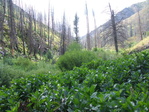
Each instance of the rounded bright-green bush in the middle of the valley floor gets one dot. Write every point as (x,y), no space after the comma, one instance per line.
(75,59)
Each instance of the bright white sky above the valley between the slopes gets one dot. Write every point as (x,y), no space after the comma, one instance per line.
(71,7)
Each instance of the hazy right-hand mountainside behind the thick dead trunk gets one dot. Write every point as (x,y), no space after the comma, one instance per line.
(126,26)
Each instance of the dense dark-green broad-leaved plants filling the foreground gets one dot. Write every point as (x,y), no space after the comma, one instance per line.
(120,85)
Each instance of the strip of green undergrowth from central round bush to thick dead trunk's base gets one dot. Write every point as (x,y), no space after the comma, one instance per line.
(75,58)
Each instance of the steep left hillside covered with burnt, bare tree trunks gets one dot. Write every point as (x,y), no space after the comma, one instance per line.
(24,32)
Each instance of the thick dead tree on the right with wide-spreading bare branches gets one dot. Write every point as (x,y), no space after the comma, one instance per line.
(108,31)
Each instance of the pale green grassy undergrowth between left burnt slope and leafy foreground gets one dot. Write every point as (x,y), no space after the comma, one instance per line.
(13,68)
